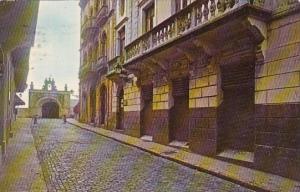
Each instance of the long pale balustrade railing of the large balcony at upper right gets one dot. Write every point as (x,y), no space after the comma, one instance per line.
(195,15)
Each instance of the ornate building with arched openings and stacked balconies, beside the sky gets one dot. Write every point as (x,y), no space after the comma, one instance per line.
(96,41)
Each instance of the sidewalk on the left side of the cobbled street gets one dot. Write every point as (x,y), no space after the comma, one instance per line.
(20,170)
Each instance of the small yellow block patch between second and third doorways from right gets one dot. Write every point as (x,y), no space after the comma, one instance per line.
(161,97)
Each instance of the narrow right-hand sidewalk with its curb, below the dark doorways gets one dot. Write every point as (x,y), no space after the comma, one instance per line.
(251,178)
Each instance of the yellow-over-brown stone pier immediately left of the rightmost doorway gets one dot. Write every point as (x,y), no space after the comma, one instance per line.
(203,102)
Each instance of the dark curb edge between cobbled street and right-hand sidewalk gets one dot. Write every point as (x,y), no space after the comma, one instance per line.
(216,174)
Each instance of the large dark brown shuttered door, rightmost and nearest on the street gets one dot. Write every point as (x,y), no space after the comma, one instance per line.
(238,107)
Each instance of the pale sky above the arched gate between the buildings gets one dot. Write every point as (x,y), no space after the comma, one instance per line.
(55,52)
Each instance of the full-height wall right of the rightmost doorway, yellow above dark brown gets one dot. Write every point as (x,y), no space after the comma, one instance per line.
(277,99)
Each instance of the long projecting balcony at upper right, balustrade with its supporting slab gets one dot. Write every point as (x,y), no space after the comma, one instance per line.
(200,17)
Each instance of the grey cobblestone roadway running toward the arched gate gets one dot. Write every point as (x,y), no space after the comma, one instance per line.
(73,159)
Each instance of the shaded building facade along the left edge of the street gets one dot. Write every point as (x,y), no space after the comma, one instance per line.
(17,29)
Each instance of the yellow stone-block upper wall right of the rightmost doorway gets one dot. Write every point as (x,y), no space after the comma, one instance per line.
(278,79)
